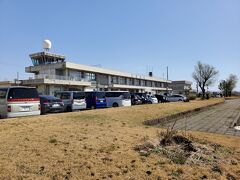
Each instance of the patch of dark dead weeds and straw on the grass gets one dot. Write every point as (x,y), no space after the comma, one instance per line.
(183,149)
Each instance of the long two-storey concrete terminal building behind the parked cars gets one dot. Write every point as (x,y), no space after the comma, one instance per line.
(53,73)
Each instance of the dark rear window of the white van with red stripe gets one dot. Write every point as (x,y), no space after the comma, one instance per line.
(19,93)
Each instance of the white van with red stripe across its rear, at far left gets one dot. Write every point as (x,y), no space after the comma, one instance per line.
(19,101)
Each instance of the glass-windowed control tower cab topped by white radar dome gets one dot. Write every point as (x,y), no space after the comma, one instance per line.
(45,57)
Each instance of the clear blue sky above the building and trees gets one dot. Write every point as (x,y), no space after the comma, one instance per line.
(126,35)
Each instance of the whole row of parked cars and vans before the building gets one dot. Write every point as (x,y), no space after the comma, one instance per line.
(23,101)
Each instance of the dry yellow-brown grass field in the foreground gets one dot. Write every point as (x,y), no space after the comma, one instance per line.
(99,144)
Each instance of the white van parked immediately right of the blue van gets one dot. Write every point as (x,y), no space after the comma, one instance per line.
(118,98)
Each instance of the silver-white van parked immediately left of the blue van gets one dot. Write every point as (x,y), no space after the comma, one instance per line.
(73,100)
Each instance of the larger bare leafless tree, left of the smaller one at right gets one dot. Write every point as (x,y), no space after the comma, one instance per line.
(204,75)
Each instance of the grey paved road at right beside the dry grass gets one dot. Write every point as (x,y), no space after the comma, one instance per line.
(217,119)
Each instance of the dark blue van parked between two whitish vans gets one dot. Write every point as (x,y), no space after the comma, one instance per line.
(95,99)
